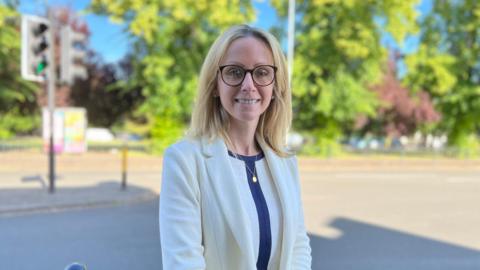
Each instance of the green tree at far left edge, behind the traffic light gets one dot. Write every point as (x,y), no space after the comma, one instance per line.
(18,108)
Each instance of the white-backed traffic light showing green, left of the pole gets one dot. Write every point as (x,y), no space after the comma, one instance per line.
(36,47)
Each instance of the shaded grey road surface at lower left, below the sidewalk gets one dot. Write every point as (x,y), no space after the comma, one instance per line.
(113,238)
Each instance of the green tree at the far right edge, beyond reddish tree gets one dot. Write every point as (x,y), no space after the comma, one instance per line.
(447,65)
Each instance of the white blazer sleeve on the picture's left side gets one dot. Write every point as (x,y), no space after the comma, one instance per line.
(180,214)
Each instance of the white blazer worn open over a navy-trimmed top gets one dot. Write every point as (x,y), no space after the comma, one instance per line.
(203,224)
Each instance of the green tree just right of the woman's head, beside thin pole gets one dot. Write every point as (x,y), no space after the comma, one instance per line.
(338,56)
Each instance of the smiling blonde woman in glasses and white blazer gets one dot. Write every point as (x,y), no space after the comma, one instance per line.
(230,197)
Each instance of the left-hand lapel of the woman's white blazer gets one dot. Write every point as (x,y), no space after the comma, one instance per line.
(221,174)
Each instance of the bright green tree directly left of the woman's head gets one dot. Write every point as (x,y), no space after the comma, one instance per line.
(171,38)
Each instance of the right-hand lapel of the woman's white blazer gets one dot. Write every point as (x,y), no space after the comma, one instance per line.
(279,173)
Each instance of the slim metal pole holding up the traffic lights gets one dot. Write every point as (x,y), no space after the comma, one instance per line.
(50,81)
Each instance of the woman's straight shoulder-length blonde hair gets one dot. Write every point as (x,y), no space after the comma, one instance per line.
(209,118)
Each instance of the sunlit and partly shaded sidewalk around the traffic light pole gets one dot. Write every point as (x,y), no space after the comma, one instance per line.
(86,180)
